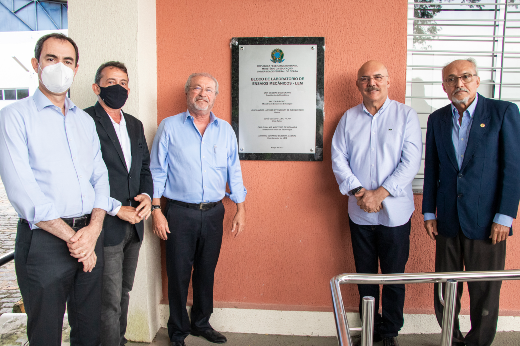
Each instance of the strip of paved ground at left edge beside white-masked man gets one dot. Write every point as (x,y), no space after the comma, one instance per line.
(9,292)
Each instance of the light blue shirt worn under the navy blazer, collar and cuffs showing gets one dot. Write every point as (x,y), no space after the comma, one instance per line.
(459,137)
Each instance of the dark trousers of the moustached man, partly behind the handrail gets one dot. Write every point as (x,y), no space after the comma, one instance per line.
(390,246)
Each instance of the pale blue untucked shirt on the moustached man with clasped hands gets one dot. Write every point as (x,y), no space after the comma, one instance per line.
(380,150)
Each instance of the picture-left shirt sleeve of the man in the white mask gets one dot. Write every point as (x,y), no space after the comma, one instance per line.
(21,186)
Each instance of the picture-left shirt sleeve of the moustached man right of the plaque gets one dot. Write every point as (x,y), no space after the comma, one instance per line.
(340,160)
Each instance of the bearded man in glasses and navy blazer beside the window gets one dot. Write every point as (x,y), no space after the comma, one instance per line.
(471,191)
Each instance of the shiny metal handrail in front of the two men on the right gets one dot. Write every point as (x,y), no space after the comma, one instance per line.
(451,278)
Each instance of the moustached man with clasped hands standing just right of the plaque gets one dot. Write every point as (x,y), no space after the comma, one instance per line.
(376,153)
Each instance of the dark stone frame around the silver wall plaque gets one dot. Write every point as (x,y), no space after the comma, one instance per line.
(235,87)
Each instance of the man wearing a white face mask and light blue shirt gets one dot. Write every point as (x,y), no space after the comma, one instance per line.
(52,167)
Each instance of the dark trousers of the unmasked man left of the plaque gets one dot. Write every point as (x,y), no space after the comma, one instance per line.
(194,242)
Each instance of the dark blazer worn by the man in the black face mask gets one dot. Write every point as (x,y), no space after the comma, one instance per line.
(124,184)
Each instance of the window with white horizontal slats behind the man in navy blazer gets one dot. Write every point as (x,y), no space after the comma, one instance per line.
(440,31)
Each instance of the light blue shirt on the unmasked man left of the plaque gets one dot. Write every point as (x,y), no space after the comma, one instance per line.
(191,168)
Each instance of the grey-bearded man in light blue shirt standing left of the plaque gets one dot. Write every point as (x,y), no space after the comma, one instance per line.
(194,155)
